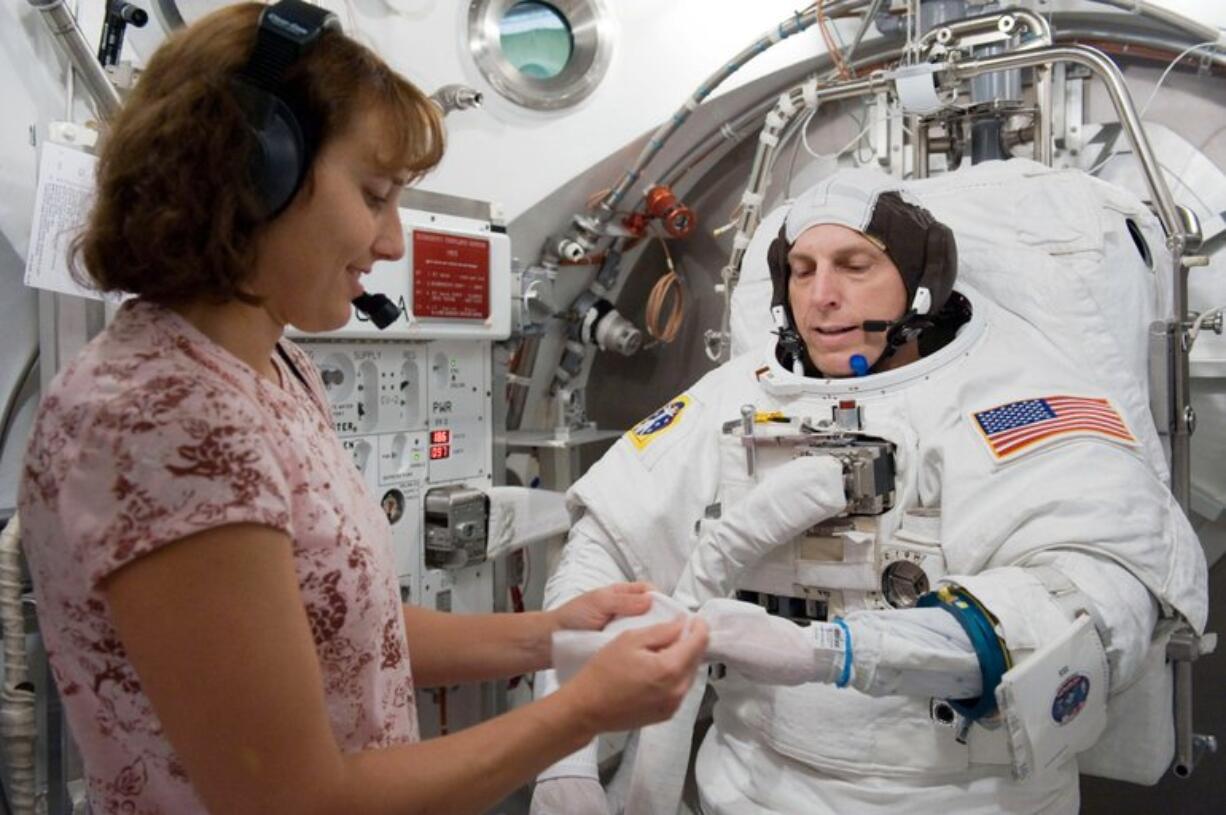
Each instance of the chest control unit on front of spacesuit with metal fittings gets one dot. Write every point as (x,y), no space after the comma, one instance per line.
(882,552)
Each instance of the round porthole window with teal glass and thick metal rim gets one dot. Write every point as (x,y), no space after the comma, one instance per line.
(538,55)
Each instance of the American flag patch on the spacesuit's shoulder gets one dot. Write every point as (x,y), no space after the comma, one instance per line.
(1013,428)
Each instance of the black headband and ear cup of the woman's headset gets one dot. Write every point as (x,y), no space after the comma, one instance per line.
(285,137)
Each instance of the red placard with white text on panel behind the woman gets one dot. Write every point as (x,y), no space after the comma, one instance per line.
(451,276)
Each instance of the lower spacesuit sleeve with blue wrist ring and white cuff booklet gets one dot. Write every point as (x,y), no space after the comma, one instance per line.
(1072,627)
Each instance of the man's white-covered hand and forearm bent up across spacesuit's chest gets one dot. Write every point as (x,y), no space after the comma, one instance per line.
(788,502)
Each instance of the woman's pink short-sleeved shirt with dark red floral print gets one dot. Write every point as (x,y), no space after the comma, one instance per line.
(155,433)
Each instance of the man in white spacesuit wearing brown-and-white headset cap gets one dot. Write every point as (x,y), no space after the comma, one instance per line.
(919,497)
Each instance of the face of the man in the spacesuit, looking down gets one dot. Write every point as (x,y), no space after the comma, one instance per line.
(839,280)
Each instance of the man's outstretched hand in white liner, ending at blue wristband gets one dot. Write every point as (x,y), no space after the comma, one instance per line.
(772,650)
